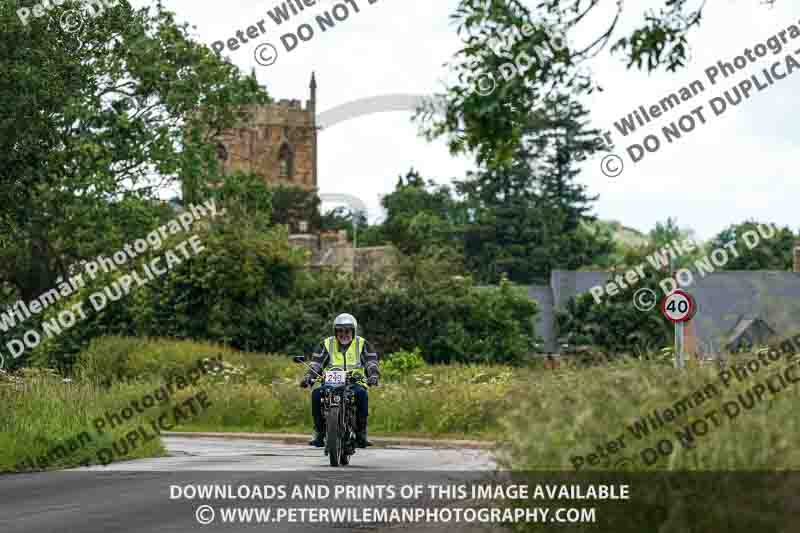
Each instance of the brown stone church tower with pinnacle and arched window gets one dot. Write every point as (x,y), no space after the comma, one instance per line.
(278,142)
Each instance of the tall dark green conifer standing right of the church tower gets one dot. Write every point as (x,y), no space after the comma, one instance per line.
(530,216)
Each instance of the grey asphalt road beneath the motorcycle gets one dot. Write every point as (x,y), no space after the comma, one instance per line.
(152,495)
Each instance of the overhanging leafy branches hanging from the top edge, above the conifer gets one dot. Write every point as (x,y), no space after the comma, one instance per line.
(490,125)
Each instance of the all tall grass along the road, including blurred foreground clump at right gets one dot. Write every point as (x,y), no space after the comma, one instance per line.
(544,419)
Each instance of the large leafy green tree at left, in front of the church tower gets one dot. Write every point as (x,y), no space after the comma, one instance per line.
(93,124)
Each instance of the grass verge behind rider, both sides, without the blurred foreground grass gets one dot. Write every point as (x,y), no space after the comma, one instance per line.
(250,392)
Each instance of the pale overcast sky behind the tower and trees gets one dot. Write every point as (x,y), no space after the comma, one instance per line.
(742,164)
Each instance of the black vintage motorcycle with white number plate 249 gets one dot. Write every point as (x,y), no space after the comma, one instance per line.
(338,411)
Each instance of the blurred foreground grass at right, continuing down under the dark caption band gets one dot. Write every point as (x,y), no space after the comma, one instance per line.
(726,479)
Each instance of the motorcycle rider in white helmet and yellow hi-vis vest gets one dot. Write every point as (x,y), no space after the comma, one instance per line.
(344,346)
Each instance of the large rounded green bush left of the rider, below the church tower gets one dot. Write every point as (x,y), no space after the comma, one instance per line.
(215,295)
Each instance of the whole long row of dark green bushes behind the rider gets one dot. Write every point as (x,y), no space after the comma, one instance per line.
(247,289)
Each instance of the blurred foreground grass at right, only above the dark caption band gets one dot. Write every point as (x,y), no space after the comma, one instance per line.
(572,411)
